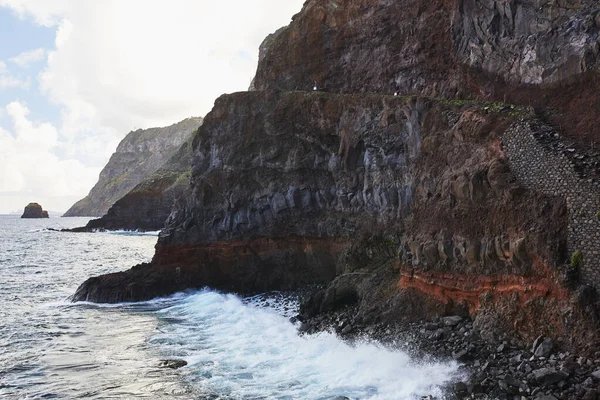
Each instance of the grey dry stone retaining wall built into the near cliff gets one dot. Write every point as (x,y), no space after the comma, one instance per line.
(541,163)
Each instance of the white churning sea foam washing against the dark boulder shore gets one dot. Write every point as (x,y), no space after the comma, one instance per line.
(239,350)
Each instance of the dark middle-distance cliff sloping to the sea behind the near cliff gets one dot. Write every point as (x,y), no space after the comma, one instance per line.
(147,206)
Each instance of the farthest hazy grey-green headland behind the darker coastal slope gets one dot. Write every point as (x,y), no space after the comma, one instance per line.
(138,156)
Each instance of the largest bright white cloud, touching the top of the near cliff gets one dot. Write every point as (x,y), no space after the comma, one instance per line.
(120,64)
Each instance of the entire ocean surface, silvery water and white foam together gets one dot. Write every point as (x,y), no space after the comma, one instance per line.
(235,348)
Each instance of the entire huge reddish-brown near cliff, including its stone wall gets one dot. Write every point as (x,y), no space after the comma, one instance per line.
(405,207)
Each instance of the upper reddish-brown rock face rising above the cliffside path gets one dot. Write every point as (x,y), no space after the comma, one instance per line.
(484,49)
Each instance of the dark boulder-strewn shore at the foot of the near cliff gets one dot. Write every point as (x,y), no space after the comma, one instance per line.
(487,371)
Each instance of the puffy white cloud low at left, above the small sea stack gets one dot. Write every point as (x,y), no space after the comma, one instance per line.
(30,170)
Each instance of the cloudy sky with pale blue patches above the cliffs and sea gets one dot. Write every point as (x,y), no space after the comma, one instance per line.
(77,75)
